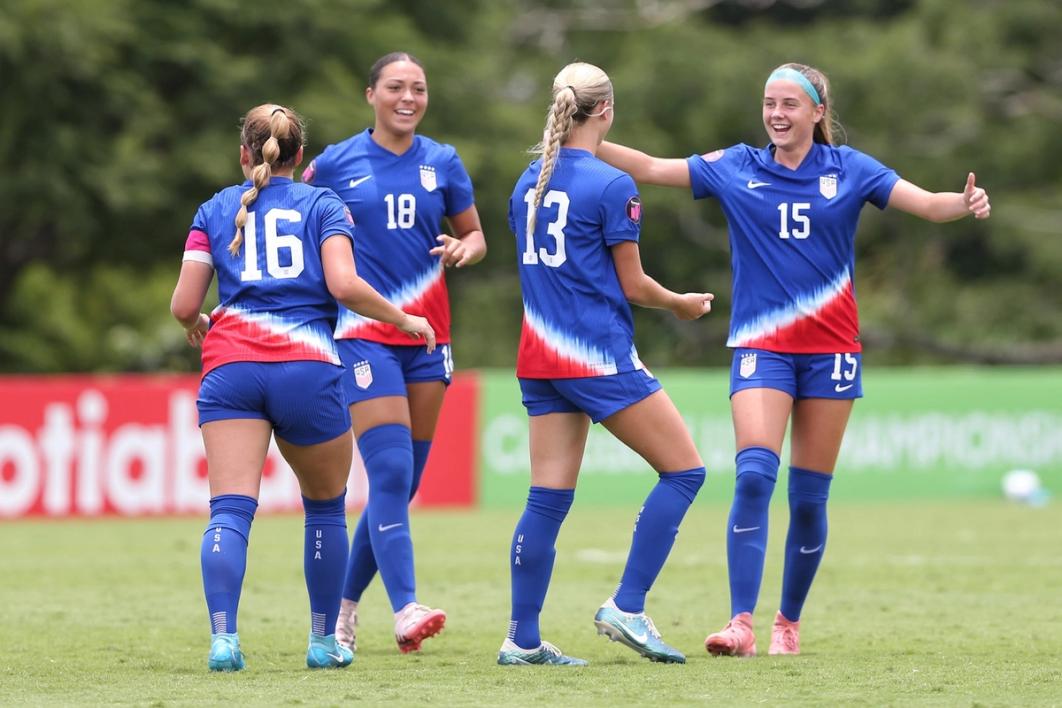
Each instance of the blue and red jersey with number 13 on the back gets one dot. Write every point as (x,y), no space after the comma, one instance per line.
(577,322)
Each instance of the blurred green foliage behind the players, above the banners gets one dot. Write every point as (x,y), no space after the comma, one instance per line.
(119,117)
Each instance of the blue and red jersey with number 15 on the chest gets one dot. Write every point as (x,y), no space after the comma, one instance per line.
(793,243)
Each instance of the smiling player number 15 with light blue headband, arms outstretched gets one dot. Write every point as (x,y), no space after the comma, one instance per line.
(793,209)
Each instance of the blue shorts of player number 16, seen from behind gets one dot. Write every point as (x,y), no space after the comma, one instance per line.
(303,400)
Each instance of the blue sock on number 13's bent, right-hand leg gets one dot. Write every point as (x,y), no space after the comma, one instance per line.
(655,532)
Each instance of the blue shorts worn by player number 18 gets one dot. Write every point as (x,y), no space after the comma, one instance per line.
(375,370)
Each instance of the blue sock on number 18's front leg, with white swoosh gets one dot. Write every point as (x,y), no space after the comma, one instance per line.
(388,454)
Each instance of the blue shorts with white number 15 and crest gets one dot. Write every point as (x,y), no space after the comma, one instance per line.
(801,376)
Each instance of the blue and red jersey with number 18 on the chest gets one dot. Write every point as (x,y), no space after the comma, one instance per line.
(399,203)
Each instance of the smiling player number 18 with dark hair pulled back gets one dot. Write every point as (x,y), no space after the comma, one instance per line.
(401,187)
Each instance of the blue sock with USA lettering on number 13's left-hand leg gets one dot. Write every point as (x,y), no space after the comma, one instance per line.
(532,560)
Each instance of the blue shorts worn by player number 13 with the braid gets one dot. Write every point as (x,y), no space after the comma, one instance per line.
(597,396)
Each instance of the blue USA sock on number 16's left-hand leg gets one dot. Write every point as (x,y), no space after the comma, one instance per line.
(224,558)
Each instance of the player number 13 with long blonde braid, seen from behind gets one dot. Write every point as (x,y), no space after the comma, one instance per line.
(577,223)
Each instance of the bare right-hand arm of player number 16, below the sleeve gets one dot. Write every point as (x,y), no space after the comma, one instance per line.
(349,288)
